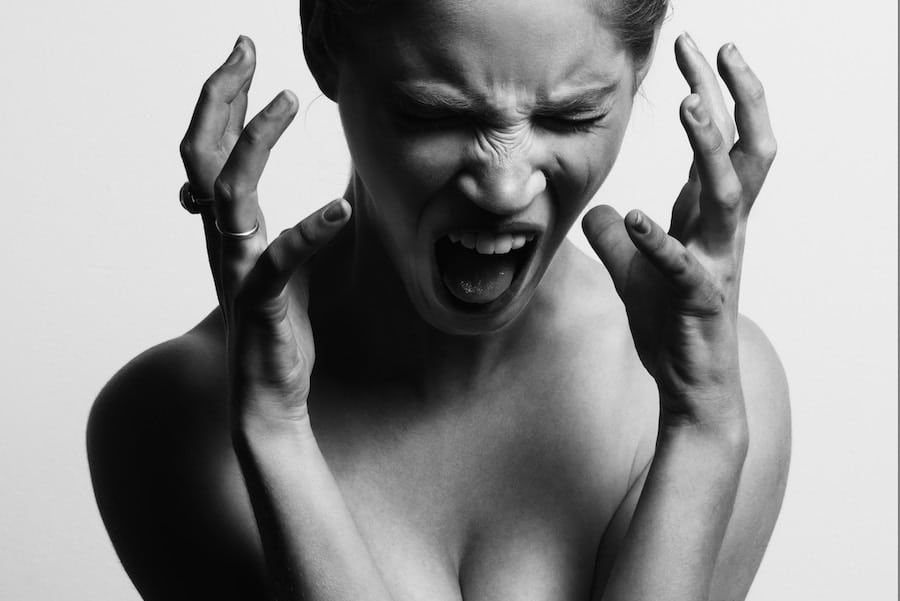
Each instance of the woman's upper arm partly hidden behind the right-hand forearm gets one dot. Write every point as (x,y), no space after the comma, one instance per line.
(763,476)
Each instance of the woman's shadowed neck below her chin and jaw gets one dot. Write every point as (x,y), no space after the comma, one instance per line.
(373,326)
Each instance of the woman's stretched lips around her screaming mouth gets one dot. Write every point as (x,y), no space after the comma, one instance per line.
(523,273)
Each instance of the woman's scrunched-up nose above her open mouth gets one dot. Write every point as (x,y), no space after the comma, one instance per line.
(503,185)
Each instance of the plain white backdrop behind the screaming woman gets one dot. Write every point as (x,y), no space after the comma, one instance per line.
(99,262)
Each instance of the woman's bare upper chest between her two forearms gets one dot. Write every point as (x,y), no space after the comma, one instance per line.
(492,501)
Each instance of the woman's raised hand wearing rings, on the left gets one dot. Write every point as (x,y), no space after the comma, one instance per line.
(268,334)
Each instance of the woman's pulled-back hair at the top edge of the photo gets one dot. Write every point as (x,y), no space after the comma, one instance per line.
(635,22)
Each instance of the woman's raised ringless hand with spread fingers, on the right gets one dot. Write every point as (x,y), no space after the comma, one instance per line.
(681,289)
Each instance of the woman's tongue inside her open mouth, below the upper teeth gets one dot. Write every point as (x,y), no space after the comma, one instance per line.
(476,278)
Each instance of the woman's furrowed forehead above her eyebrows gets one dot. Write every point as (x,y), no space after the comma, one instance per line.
(541,47)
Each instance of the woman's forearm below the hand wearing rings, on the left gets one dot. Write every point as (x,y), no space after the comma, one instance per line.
(313,547)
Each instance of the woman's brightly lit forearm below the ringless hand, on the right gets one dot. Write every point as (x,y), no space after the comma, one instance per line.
(672,543)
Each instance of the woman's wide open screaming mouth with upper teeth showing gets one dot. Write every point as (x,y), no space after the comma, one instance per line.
(478,268)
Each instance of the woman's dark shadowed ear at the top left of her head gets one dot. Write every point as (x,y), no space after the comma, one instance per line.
(318,27)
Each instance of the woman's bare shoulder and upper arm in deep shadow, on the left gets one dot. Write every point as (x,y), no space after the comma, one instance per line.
(158,449)
